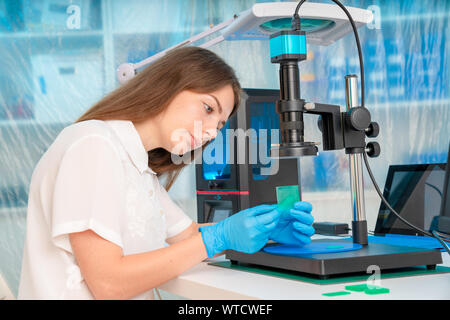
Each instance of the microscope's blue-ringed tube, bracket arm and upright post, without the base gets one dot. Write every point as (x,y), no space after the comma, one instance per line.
(340,130)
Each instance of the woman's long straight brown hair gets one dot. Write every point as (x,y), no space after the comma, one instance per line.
(152,90)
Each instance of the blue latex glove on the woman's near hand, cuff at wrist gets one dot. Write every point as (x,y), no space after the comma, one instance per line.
(246,231)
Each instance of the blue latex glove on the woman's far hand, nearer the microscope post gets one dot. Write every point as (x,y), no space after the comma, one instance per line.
(295,225)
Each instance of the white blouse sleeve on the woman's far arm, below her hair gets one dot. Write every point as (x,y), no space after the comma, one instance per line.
(176,220)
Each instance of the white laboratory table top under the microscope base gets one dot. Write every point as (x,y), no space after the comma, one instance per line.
(212,282)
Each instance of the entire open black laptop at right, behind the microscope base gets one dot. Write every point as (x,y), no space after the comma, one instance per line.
(420,194)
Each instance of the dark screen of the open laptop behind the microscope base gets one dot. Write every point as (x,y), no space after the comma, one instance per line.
(415,192)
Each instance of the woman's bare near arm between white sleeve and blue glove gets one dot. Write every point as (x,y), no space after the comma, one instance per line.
(111,275)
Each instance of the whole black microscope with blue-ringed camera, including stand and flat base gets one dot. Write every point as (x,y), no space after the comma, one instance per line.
(340,130)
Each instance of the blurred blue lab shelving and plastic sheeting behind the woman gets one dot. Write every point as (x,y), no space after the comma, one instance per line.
(58,57)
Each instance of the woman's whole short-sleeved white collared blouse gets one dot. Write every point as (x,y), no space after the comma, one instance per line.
(94,176)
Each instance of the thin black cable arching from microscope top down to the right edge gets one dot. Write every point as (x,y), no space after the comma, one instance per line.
(296,24)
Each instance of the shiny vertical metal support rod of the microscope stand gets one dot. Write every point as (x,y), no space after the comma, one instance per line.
(359,225)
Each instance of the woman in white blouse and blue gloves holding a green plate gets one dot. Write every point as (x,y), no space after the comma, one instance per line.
(98,218)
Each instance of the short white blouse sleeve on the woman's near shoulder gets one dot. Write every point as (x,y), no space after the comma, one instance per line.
(89,192)
